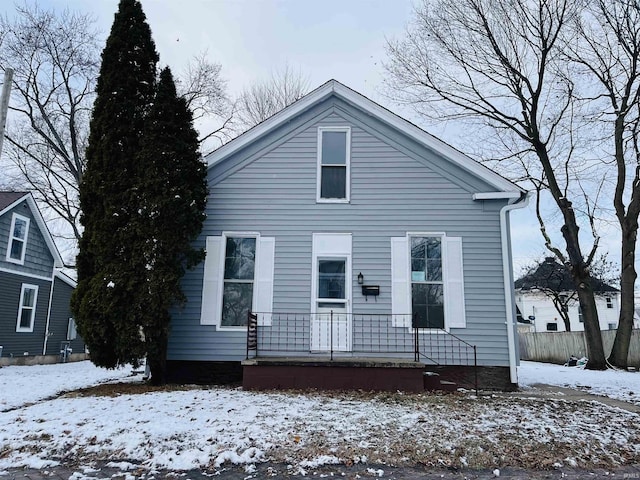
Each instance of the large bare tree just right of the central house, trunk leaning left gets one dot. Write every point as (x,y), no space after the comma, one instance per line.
(496,63)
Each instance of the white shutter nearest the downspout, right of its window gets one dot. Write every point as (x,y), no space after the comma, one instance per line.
(454,312)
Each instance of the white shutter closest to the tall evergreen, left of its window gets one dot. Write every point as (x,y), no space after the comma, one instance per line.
(211,294)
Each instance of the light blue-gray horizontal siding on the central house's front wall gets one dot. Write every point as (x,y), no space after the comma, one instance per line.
(396,186)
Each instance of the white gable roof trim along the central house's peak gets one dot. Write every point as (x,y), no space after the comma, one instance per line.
(337,89)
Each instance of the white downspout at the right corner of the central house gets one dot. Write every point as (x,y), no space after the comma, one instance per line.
(507,272)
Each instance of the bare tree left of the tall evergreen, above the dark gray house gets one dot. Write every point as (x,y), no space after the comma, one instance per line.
(55,59)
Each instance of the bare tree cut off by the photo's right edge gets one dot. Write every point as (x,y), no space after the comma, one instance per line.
(607,47)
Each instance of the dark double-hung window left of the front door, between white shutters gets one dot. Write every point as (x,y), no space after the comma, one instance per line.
(239,276)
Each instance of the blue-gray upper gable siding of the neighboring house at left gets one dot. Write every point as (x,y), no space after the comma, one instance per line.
(38,259)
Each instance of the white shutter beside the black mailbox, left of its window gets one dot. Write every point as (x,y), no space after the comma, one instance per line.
(400,305)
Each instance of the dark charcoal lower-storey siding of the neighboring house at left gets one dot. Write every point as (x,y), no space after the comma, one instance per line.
(18,343)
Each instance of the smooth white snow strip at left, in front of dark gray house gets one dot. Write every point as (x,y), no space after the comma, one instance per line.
(28,384)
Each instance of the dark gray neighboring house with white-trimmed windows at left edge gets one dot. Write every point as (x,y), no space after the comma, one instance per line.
(35,317)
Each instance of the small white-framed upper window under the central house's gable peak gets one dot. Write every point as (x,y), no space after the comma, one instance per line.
(334,158)
